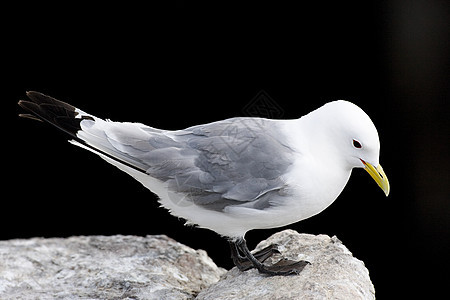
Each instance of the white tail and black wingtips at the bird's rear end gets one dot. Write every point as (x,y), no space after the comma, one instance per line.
(87,131)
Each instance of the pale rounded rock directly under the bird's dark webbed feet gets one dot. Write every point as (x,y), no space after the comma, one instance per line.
(333,273)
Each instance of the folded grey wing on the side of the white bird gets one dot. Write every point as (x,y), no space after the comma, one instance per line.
(237,161)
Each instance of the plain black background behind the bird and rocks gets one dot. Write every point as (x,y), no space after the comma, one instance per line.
(190,63)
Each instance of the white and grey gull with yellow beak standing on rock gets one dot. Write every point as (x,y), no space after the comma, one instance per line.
(234,175)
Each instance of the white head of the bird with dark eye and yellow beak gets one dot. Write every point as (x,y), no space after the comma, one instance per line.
(355,138)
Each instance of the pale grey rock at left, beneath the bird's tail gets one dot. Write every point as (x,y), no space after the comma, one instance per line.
(103,267)
